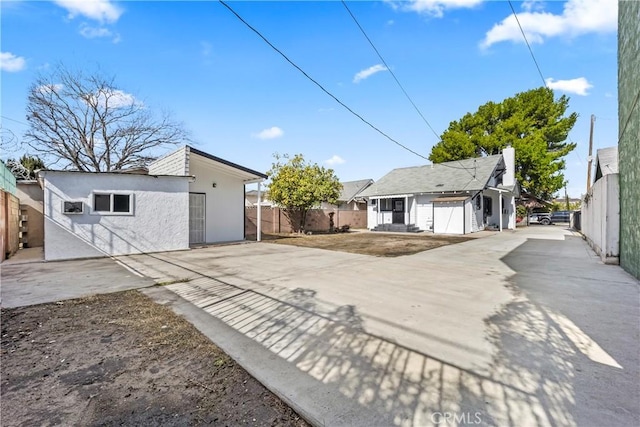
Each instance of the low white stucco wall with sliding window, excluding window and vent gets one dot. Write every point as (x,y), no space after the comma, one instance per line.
(160,219)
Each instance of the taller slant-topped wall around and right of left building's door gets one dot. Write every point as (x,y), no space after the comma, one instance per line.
(224,202)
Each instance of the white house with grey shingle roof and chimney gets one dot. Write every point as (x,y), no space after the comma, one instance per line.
(457,197)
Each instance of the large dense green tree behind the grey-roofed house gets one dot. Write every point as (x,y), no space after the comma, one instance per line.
(532,122)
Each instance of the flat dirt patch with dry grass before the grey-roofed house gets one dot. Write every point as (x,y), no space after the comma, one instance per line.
(378,244)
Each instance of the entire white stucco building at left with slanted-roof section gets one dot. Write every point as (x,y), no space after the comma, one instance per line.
(188,198)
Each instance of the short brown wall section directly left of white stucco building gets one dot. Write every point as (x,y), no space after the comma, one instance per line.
(31,202)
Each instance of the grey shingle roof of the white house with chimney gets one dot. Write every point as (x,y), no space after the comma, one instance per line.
(462,175)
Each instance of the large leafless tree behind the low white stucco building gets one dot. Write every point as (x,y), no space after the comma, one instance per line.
(88,124)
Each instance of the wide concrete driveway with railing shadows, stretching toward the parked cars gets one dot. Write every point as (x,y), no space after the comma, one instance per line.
(519,328)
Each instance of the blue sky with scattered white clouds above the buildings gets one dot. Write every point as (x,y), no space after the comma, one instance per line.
(242,101)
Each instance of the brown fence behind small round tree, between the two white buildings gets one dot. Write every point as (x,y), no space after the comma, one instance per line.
(274,220)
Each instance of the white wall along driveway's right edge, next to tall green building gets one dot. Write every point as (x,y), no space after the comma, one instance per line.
(600,221)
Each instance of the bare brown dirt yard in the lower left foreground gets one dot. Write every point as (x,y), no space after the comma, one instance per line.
(121,359)
